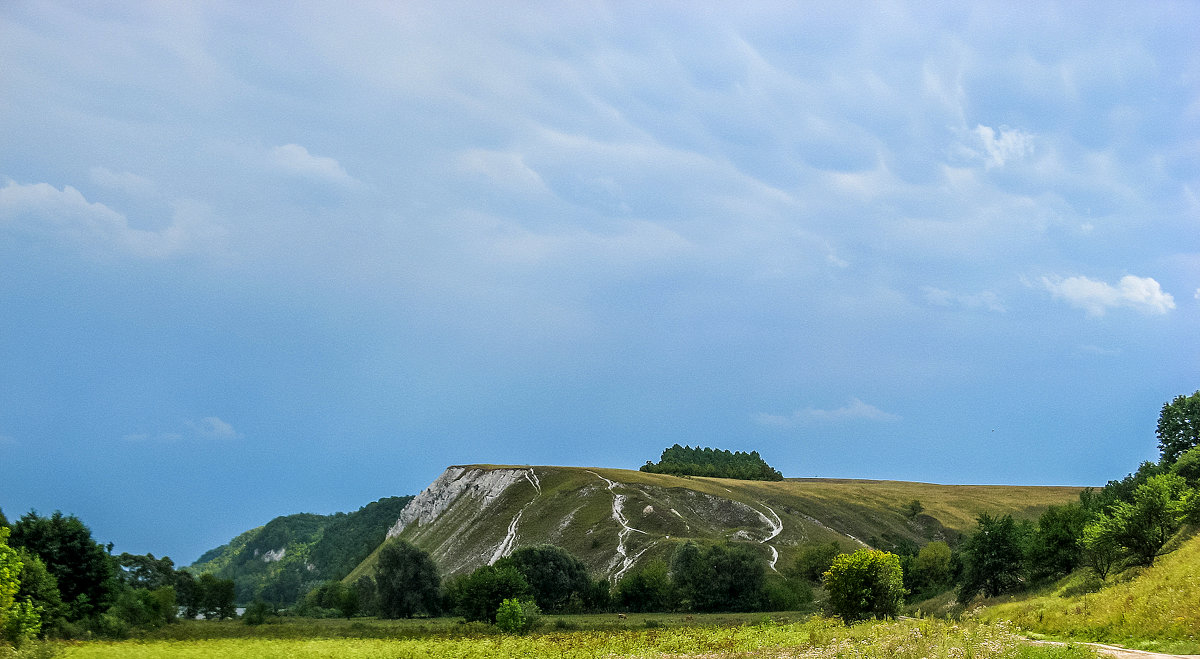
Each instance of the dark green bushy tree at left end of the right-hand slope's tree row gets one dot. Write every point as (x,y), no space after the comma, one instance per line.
(993,558)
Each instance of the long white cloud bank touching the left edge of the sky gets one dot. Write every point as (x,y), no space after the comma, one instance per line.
(45,213)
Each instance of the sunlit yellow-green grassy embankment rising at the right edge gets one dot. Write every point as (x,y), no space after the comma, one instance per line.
(1155,608)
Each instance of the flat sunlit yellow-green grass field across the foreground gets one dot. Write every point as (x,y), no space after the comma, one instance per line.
(818,638)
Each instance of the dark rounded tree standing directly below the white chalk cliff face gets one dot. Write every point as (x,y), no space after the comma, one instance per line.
(407,582)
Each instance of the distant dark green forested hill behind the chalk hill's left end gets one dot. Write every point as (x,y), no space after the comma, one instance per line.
(280,560)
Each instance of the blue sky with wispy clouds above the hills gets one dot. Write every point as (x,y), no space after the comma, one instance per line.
(271,259)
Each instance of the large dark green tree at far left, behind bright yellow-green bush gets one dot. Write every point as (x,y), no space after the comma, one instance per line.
(86,572)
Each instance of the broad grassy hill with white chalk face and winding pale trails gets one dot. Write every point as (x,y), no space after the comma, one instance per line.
(617,519)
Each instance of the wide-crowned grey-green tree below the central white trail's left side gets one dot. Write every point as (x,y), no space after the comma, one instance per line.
(555,577)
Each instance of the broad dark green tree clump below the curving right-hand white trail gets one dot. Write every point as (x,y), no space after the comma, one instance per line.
(719,578)
